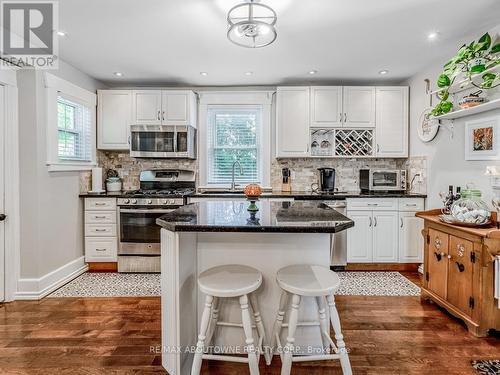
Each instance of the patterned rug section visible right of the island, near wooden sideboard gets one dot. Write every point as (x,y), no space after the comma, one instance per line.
(376,284)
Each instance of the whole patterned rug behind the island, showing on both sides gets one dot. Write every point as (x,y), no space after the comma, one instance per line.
(146,285)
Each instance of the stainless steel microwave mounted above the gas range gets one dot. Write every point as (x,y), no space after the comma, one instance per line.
(162,141)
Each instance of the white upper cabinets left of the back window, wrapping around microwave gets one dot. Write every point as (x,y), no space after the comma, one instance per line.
(118,109)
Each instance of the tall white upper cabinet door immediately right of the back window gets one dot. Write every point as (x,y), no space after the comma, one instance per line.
(292,122)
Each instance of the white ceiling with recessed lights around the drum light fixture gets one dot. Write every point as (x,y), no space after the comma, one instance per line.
(172,41)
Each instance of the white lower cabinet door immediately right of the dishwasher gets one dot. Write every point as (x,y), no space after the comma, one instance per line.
(359,237)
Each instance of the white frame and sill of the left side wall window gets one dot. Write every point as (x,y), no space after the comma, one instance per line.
(55,86)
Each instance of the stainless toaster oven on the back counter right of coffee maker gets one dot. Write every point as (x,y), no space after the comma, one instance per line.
(382,179)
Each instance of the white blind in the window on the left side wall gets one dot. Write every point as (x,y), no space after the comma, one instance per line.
(74,125)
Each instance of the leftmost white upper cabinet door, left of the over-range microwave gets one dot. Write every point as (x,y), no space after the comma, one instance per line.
(114,117)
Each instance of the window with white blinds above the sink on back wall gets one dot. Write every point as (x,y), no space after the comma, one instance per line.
(233,135)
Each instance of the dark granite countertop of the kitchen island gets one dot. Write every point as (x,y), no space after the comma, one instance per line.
(232,216)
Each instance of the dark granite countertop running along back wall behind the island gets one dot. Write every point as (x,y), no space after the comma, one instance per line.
(300,195)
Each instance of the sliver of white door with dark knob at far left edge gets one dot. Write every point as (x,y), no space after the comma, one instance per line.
(3,109)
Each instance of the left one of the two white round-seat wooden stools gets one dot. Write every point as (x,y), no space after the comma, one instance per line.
(230,281)
